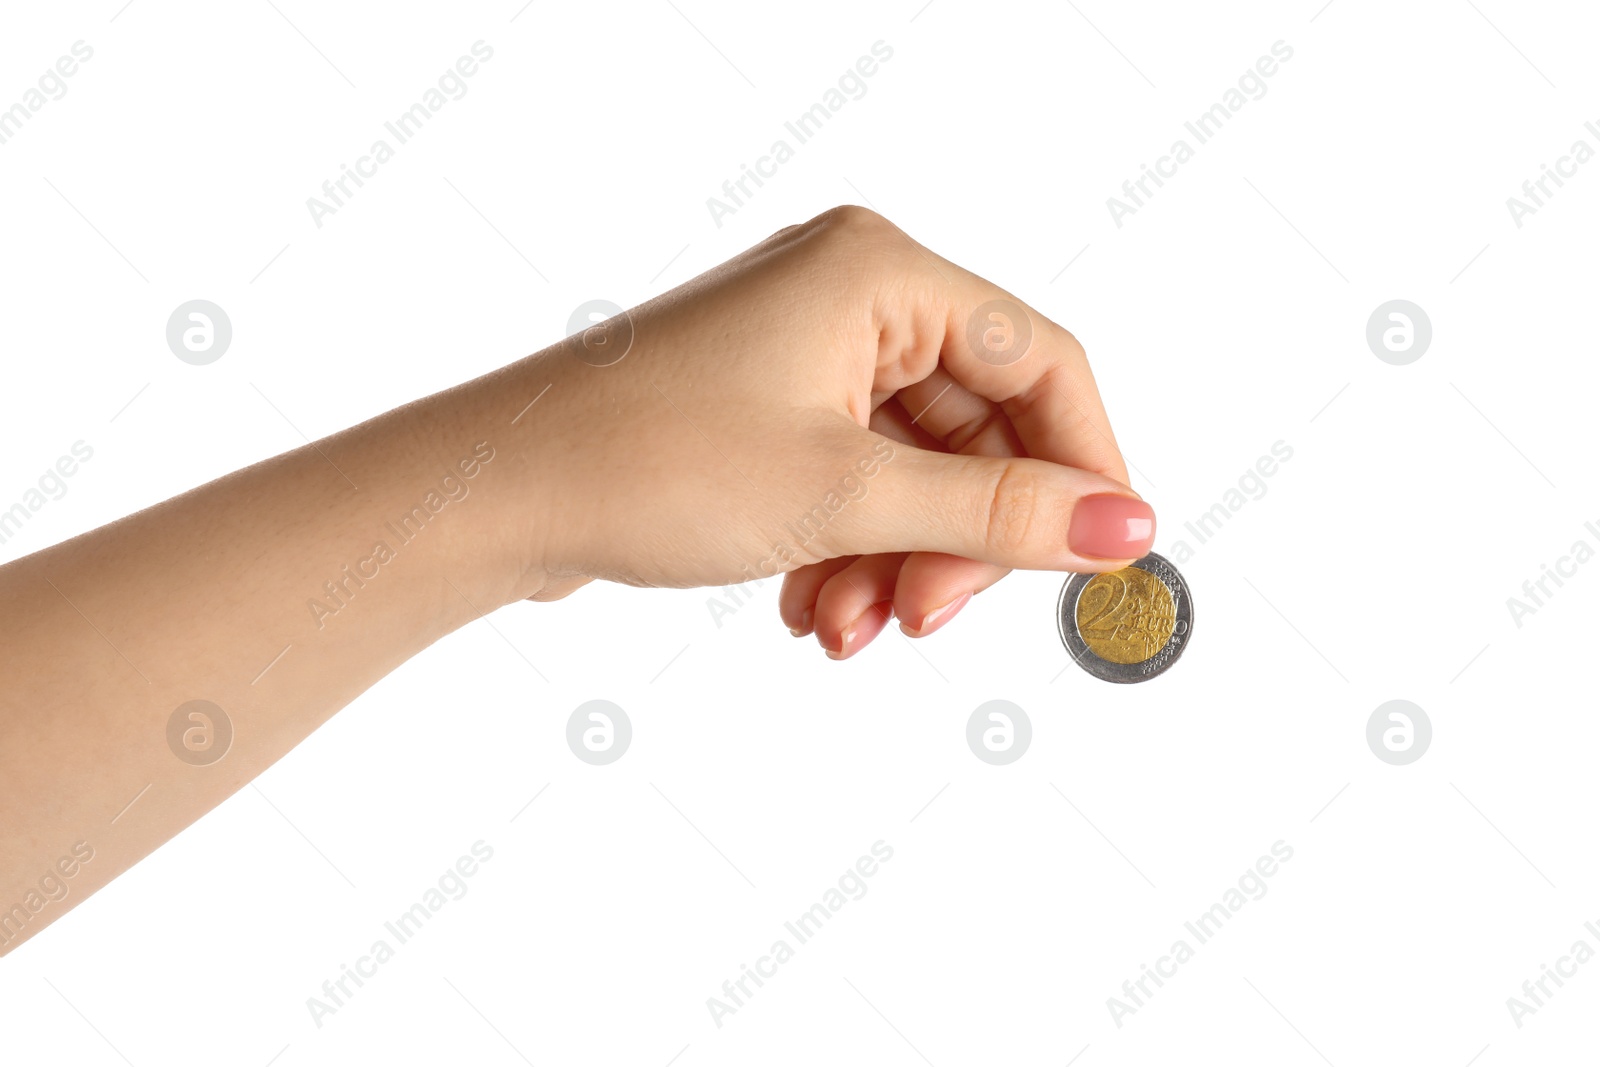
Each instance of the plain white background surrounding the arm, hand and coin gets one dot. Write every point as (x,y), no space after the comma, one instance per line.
(1226,316)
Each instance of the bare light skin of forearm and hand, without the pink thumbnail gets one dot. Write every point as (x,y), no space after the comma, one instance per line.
(746,396)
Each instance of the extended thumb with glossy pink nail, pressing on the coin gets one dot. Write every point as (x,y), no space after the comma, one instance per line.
(1012,513)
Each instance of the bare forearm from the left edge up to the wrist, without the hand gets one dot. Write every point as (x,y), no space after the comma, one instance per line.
(279,594)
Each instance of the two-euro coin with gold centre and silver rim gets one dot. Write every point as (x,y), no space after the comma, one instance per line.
(1129,625)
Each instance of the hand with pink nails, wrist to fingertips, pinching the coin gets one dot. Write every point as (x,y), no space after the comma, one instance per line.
(842,407)
